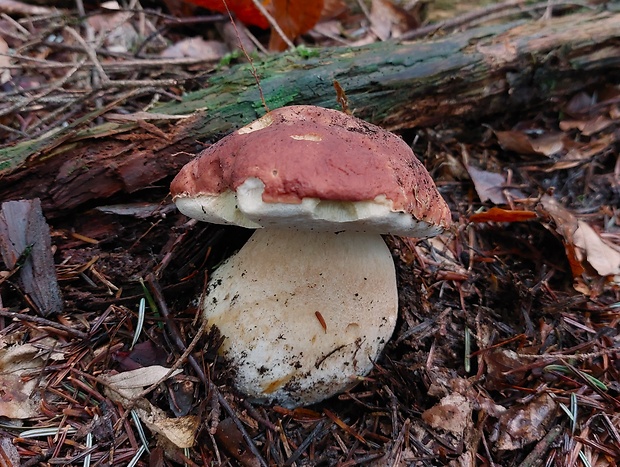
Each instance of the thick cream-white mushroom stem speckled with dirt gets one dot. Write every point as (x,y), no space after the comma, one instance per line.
(304,313)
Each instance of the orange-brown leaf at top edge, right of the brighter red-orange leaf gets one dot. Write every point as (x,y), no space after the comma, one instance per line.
(294,18)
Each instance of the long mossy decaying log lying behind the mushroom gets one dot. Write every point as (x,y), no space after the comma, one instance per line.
(475,74)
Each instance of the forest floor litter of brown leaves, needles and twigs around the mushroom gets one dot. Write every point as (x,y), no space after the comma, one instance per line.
(506,352)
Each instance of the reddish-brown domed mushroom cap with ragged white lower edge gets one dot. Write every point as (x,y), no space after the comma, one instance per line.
(299,153)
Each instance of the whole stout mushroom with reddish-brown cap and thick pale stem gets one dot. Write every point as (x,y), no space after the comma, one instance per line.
(308,303)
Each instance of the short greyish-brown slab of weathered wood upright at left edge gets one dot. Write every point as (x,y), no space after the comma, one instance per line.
(26,249)
